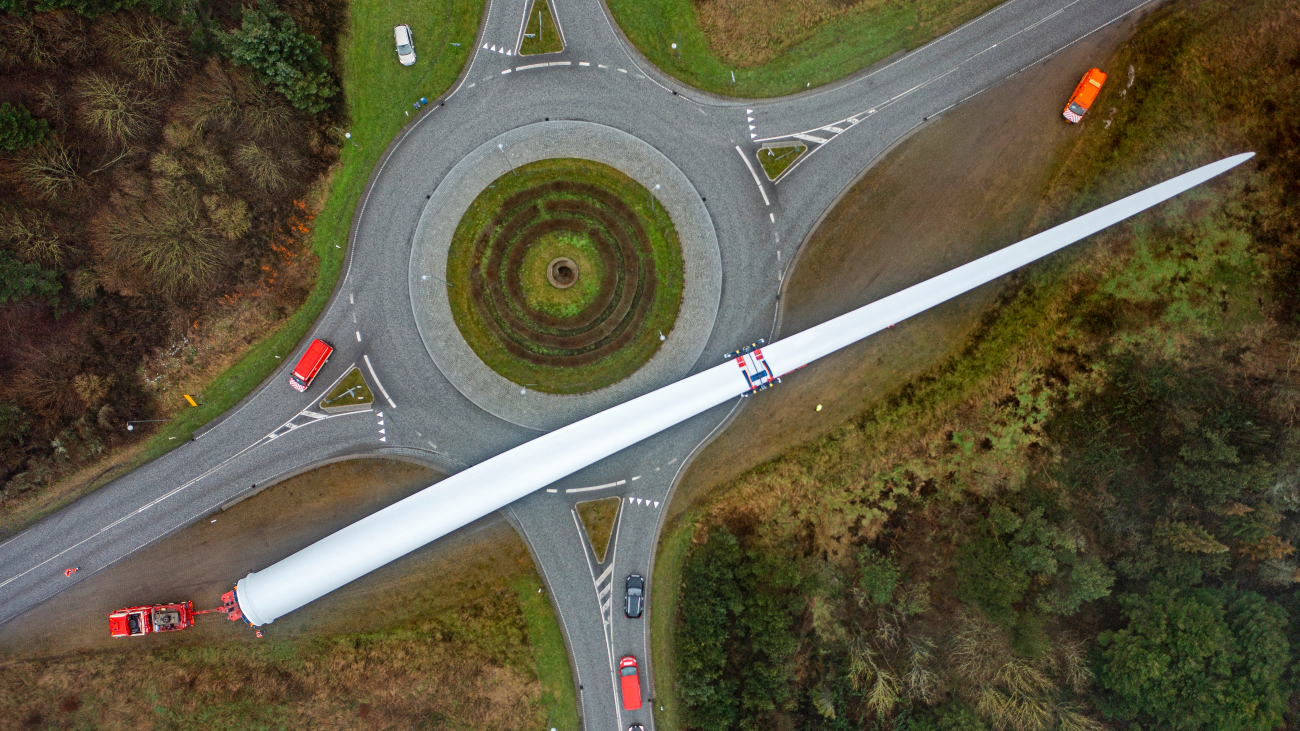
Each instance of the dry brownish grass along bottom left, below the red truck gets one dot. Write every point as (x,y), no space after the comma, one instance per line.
(466,668)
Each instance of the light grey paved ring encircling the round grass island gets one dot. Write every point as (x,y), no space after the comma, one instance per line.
(640,162)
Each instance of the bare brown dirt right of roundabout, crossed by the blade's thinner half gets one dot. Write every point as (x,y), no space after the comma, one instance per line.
(908,219)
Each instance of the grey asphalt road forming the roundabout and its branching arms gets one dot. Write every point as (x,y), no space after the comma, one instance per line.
(597,79)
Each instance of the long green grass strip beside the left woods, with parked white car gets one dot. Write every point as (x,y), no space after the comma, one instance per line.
(379,93)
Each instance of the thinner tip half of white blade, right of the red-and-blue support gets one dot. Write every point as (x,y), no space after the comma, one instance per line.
(822,340)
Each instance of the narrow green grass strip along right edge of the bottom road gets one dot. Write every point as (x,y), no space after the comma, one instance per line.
(673,552)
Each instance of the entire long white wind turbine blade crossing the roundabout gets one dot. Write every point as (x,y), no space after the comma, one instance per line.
(396,531)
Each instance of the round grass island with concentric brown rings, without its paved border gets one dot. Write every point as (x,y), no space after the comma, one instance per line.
(566,276)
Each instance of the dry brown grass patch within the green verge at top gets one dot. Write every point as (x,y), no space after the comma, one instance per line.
(747,33)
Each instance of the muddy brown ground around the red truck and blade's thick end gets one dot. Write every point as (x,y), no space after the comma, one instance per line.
(207,559)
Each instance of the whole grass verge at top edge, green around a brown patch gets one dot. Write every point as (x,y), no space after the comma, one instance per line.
(781,47)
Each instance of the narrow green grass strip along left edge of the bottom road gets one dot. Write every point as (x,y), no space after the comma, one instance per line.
(549,654)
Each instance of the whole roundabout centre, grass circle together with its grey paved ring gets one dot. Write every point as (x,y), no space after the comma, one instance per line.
(564,269)
